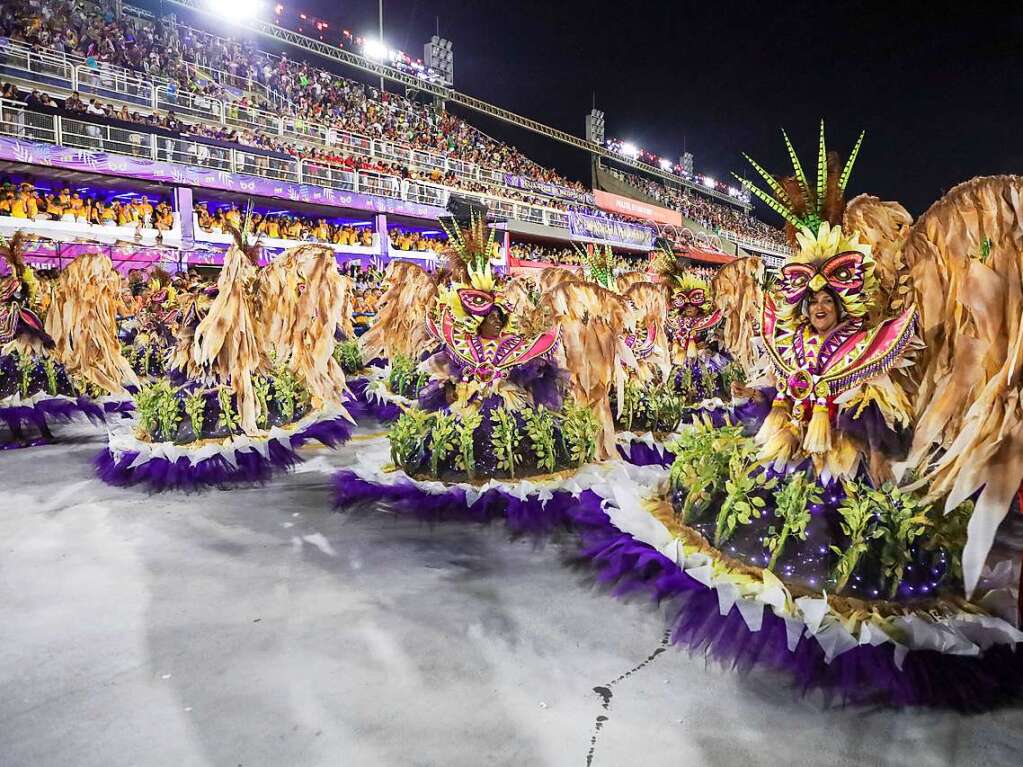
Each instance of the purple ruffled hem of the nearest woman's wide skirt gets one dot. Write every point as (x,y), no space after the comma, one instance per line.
(865,675)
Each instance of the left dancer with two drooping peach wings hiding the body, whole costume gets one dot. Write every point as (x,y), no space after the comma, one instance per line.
(243,413)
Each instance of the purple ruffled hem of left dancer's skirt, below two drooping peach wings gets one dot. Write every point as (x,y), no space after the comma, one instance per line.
(160,474)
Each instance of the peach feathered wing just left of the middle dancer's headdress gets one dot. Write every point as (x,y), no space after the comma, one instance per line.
(401,326)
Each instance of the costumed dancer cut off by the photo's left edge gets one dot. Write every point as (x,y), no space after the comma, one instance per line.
(35,388)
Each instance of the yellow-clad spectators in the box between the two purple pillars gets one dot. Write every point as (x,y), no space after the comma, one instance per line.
(283,227)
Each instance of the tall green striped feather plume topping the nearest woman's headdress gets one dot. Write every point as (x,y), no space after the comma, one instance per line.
(803,206)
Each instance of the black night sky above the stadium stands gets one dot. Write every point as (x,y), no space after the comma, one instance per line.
(939,91)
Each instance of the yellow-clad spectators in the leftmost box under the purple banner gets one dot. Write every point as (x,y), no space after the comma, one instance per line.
(26,201)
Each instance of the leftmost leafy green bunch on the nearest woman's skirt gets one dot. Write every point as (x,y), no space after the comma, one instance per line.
(701,467)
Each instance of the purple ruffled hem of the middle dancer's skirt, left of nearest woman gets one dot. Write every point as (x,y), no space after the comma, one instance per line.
(529,516)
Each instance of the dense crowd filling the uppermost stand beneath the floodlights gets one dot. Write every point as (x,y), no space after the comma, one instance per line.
(203,65)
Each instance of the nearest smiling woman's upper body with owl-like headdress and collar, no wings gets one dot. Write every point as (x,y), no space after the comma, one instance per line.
(834,400)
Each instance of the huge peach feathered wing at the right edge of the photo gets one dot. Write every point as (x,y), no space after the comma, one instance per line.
(966,260)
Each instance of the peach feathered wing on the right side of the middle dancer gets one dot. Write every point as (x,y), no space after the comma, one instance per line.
(593,324)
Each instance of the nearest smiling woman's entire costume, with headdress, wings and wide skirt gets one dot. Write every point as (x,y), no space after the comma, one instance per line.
(805,553)
